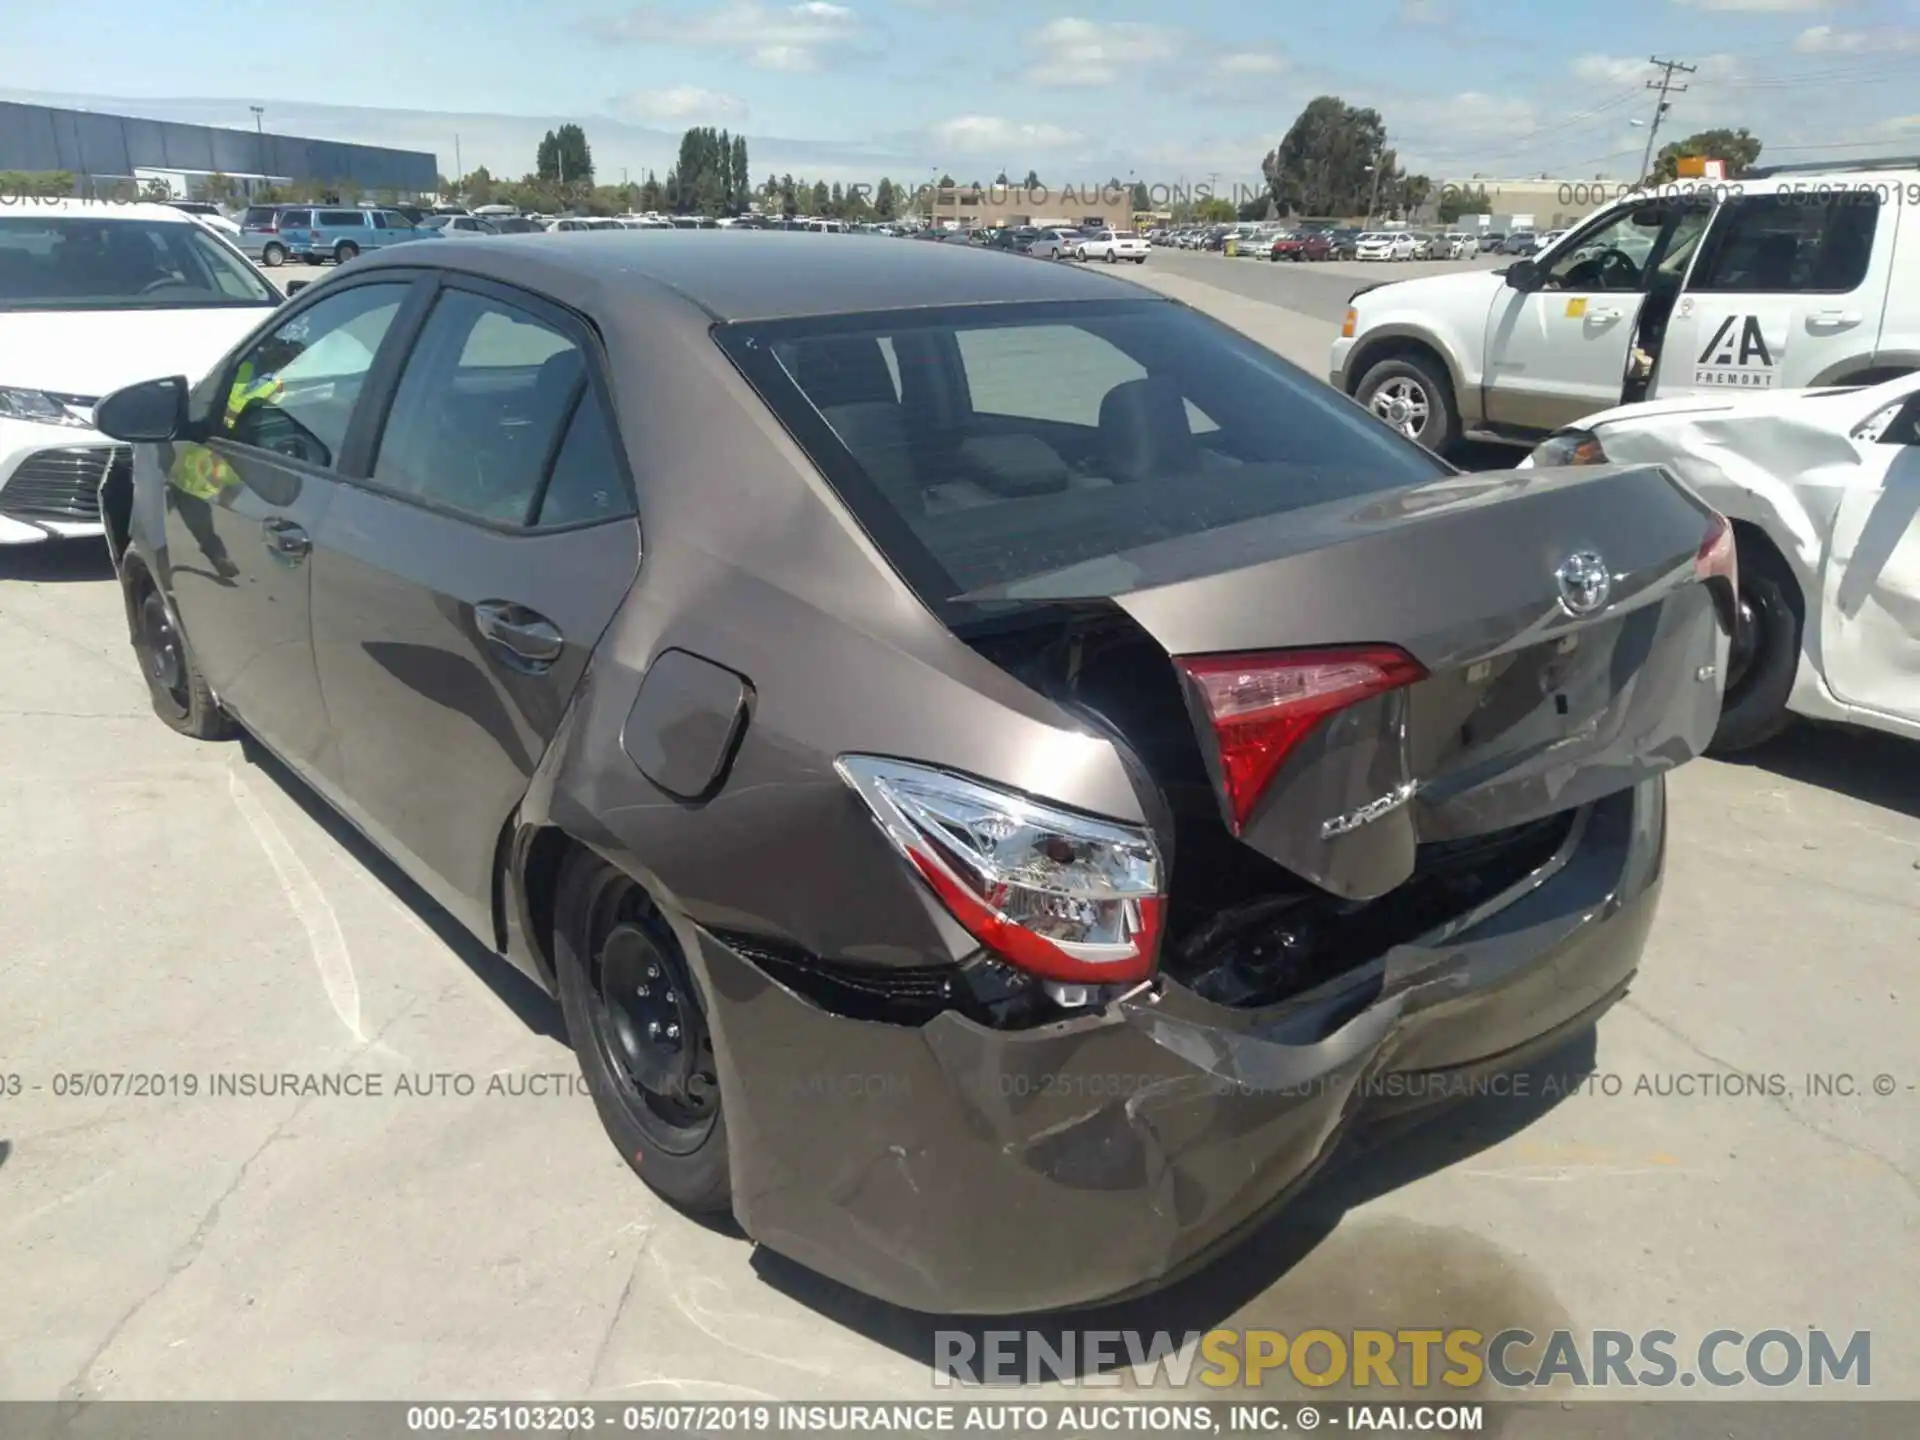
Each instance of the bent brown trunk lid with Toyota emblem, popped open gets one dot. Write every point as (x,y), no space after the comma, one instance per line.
(1539,698)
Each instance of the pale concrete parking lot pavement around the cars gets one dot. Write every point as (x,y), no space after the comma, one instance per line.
(1739,1147)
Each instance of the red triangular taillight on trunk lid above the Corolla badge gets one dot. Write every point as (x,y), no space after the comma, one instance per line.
(1264,706)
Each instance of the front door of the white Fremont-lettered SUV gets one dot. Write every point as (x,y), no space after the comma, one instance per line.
(1556,352)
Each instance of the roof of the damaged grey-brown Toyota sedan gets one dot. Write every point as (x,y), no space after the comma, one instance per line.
(763,276)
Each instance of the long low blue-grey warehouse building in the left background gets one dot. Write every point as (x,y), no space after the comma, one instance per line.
(118,149)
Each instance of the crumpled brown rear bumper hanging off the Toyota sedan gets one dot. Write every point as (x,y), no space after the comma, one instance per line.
(955,1168)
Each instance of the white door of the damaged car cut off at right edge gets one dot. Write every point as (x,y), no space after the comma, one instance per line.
(1871,588)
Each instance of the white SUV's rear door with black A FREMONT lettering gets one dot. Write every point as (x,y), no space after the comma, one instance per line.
(1788,293)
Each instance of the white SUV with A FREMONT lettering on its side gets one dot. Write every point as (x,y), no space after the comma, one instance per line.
(1794,283)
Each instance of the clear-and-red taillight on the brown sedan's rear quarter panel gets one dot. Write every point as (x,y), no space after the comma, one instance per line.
(1057,894)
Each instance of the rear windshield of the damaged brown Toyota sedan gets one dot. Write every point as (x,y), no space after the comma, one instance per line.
(994,446)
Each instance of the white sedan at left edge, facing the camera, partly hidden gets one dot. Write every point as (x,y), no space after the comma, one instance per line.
(91,297)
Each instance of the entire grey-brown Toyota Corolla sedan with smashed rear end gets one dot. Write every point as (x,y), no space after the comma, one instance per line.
(896,786)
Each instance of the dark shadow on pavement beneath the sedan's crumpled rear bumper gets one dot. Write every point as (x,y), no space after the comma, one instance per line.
(1376,1161)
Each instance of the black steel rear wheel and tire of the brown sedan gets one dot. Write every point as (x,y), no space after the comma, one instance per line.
(638,1024)
